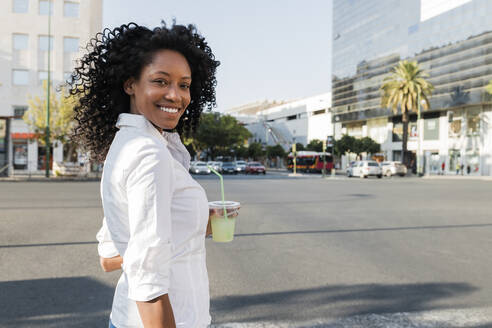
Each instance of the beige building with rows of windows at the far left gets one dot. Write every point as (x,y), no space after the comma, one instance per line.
(24,46)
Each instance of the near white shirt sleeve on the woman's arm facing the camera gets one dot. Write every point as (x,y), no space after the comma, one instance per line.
(147,259)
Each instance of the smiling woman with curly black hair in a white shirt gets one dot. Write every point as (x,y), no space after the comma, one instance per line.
(136,87)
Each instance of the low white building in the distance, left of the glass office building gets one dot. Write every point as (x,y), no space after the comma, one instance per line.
(298,121)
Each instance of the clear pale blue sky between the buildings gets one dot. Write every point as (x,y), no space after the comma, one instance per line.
(268,49)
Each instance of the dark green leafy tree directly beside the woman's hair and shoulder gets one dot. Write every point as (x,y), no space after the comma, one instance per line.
(219,134)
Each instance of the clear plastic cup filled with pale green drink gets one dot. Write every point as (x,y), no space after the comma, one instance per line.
(223,220)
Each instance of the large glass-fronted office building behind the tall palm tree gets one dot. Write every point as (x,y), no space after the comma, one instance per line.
(451,41)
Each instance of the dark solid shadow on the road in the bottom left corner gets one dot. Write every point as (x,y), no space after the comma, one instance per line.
(58,302)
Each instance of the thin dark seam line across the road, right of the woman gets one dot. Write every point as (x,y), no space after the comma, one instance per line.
(457,226)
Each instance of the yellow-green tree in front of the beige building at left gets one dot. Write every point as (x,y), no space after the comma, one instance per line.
(61,118)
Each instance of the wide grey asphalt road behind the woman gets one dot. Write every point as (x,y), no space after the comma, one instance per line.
(307,252)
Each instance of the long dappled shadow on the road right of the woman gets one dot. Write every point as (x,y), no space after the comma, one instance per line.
(335,301)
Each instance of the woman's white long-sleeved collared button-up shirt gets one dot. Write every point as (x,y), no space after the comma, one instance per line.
(155,217)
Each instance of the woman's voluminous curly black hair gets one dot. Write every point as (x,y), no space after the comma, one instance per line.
(116,55)
